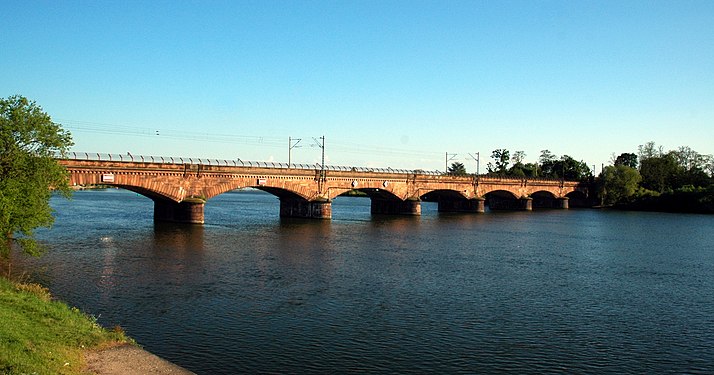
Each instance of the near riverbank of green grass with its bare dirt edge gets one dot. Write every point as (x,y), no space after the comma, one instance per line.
(39,335)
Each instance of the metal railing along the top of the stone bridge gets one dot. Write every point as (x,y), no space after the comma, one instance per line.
(97,156)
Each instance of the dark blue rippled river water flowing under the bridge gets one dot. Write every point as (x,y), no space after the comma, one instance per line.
(577,291)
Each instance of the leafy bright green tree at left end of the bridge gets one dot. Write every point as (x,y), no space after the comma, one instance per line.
(29,140)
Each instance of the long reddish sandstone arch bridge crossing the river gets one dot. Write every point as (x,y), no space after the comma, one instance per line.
(180,187)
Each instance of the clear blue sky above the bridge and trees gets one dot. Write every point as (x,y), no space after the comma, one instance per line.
(388,83)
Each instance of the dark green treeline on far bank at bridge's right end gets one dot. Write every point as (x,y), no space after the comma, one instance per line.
(652,179)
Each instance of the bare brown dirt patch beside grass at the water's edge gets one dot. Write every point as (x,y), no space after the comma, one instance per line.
(130,360)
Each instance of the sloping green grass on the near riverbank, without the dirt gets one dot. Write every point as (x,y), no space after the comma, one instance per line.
(41,336)
